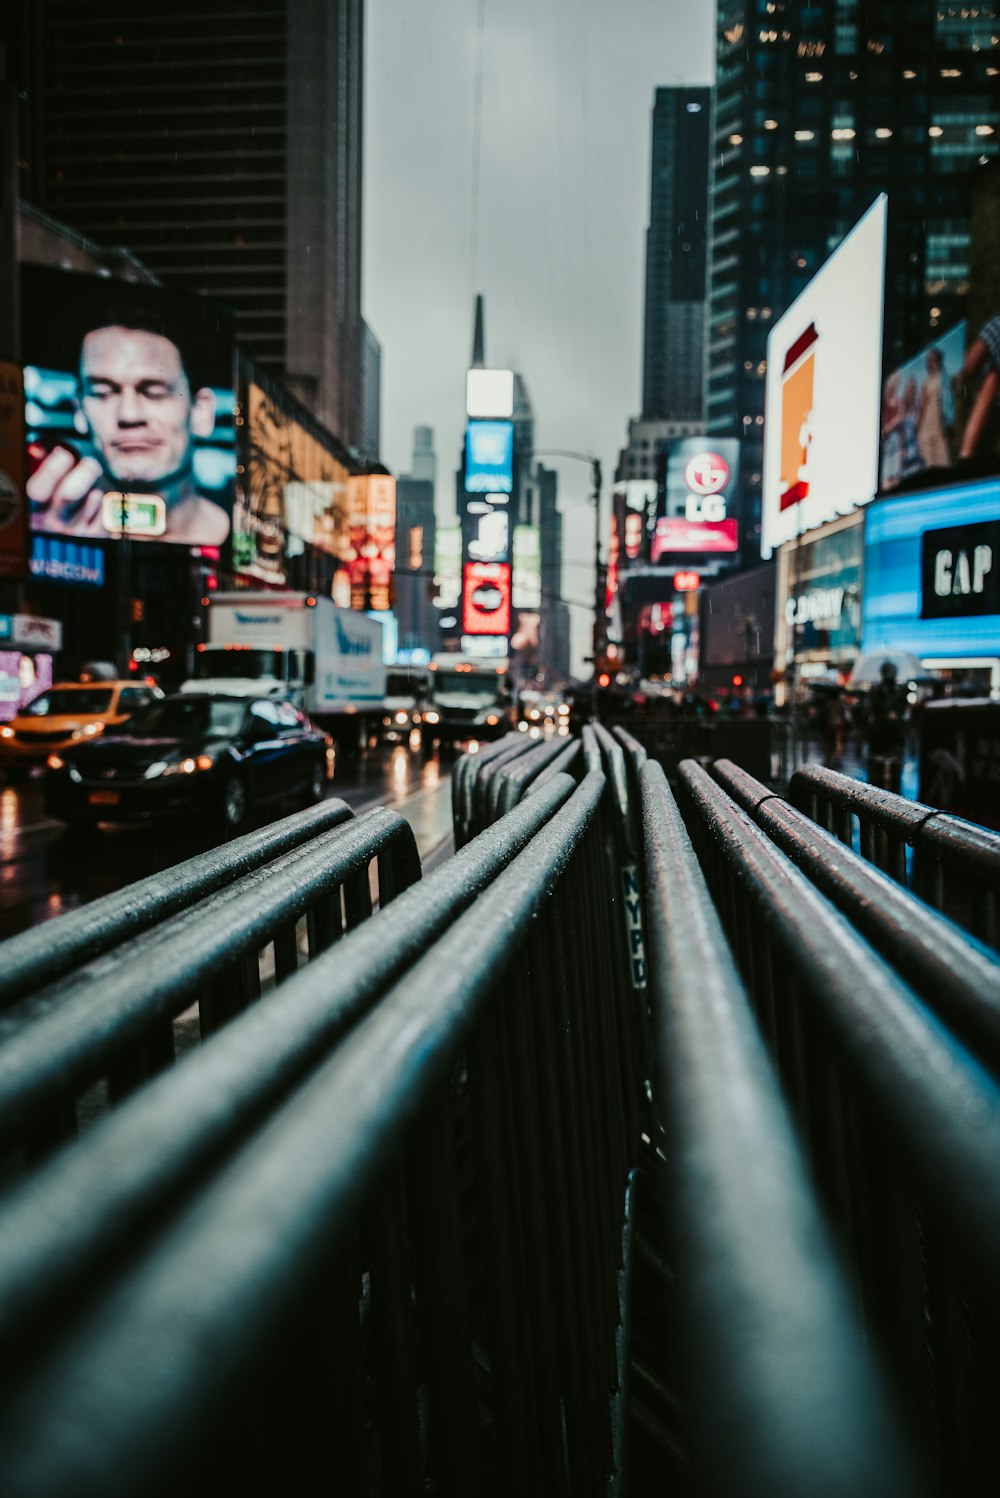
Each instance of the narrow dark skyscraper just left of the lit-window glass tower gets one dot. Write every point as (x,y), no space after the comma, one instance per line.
(676,249)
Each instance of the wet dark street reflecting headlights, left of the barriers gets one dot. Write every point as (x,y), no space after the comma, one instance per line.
(44,874)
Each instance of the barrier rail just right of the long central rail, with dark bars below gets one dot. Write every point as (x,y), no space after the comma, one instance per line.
(903,1130)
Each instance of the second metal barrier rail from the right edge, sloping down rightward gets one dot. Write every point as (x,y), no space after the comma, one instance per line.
(957,977)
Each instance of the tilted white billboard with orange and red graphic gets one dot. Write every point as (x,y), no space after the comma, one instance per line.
(821,432)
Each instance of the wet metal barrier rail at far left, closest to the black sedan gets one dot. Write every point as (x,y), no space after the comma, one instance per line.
(43,955)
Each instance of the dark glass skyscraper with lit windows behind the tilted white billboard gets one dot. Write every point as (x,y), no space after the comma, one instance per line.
(820,110)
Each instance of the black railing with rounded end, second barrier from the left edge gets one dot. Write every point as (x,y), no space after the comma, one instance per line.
(82,1042)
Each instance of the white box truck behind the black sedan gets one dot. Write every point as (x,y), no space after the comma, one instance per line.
(327,660)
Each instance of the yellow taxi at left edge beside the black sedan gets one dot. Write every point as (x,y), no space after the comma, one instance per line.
(68,714)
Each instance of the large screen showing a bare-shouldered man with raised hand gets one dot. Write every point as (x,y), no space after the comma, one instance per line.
(129,411)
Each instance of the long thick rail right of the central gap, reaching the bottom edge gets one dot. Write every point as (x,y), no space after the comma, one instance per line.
(782,1395)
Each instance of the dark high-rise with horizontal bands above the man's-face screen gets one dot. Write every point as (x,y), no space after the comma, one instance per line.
(224,148)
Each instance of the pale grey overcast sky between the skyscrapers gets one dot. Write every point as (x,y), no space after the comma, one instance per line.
(558,243)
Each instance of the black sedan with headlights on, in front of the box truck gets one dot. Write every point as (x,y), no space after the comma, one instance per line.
(191,754)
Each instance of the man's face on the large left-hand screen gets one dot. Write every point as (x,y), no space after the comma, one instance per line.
(138,405)
